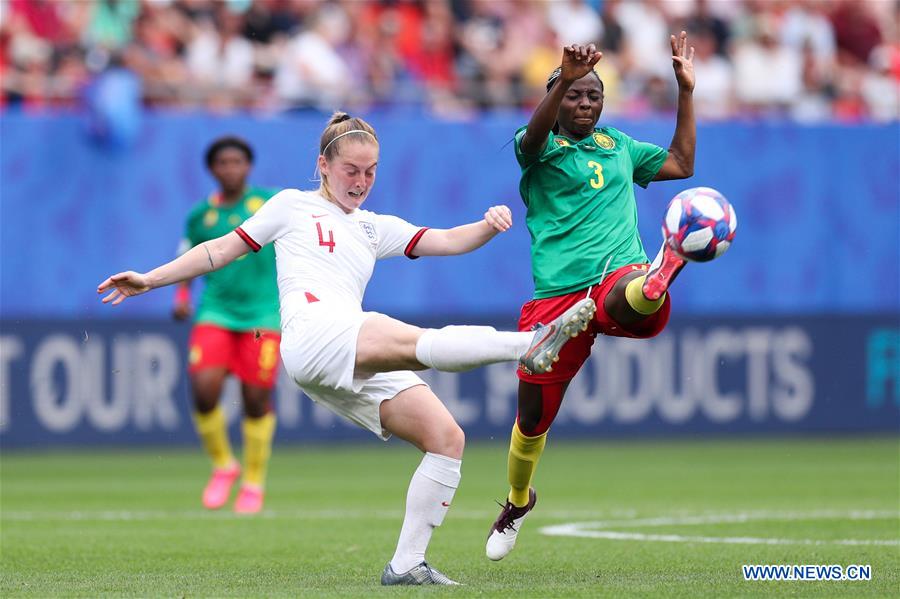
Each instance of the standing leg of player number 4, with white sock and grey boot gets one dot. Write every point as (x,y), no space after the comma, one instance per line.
(418,416)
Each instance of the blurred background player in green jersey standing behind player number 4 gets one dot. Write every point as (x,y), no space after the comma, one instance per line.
(236,331)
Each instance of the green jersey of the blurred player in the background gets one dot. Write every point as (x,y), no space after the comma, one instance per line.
(244,295)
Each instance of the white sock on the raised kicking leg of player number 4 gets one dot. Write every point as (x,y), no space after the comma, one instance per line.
(458,348)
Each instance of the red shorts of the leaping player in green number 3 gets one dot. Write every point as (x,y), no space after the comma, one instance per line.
(576,351)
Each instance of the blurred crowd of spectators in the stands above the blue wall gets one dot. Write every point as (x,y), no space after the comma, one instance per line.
(809,60)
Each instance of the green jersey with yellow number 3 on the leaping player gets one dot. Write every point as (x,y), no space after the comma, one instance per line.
(581,214)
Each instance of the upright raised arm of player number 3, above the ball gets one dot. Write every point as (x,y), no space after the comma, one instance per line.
(680,162)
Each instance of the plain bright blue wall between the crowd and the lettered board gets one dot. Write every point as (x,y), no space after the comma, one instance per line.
(817,205)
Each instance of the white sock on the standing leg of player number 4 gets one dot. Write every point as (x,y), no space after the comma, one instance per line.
(429,496)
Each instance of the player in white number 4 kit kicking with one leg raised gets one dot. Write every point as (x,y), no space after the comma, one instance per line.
(358,363)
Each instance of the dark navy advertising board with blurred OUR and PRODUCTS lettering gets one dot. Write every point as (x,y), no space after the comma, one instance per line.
(67,383)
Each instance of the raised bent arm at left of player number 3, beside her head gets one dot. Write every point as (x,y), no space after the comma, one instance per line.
(577,62)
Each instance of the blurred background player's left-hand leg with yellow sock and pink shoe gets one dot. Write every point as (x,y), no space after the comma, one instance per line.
(212,428)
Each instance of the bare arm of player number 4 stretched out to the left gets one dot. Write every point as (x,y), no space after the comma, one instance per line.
(199,260)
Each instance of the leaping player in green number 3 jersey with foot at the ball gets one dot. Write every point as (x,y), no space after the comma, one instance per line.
(577,184)
